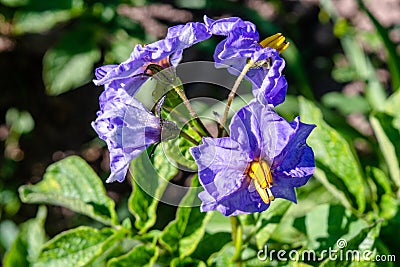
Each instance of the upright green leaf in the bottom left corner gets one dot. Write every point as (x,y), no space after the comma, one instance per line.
(26,247)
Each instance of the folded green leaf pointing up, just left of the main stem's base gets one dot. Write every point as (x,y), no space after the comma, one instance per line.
(182,235)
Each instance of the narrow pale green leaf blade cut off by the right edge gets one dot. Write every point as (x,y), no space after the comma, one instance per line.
(388,150)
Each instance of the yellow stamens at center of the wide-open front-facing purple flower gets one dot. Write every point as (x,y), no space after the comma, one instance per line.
(260,172)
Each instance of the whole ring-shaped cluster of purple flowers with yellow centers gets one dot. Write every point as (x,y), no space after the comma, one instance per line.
(263,158)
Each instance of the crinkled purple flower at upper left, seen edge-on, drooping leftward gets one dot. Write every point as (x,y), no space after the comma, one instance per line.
(165,52)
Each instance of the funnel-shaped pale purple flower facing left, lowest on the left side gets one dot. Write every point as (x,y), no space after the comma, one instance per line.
(128,128)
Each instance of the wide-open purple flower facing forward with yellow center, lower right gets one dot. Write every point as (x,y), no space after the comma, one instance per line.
(264,158)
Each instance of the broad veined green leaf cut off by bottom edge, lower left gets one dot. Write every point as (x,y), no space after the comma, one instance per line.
(77,247)
